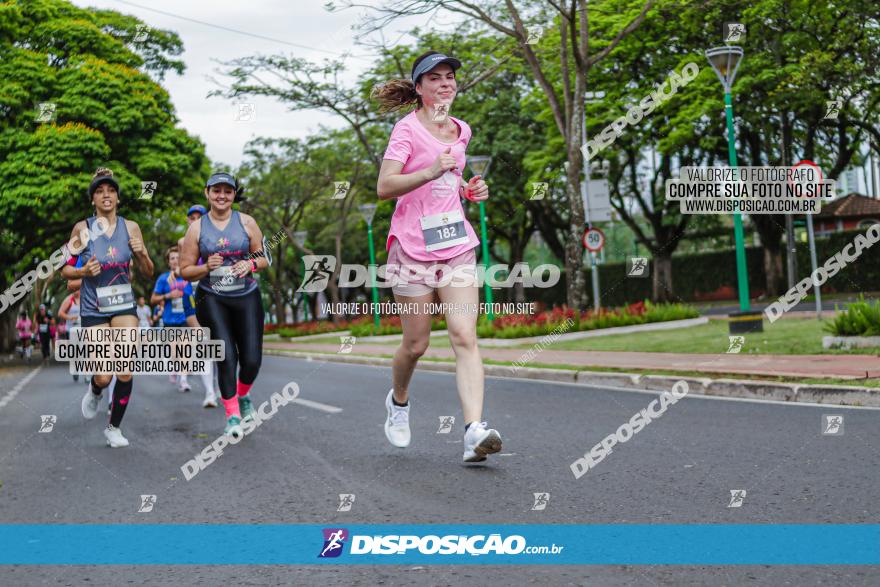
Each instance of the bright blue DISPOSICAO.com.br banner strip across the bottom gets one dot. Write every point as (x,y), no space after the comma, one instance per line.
(529,544)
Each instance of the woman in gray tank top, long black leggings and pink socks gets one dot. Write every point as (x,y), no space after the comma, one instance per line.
(228,298)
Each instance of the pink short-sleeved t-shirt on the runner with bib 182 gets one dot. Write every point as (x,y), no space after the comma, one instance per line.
(414,146)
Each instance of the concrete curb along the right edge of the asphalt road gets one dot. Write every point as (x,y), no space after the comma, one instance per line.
(844,395)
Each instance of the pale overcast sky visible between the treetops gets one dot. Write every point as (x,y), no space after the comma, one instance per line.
(302,22)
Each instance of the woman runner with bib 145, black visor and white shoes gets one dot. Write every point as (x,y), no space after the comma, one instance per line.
(106,297)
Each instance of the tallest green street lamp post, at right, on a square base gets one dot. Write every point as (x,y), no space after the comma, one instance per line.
(725,62)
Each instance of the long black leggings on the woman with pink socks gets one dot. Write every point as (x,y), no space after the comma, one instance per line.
(238,322)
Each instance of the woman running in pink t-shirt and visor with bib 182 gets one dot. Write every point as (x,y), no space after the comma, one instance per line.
(422,170)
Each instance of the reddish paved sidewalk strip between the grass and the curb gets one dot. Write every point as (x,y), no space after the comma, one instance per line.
(805,366)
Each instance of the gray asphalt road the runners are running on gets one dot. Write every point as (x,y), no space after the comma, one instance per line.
(679,469)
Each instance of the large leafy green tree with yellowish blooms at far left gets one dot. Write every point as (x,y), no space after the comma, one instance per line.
(97,69)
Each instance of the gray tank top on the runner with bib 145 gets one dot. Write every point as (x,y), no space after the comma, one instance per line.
(110,292)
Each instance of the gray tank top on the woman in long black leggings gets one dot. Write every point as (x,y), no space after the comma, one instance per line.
(234,244)
